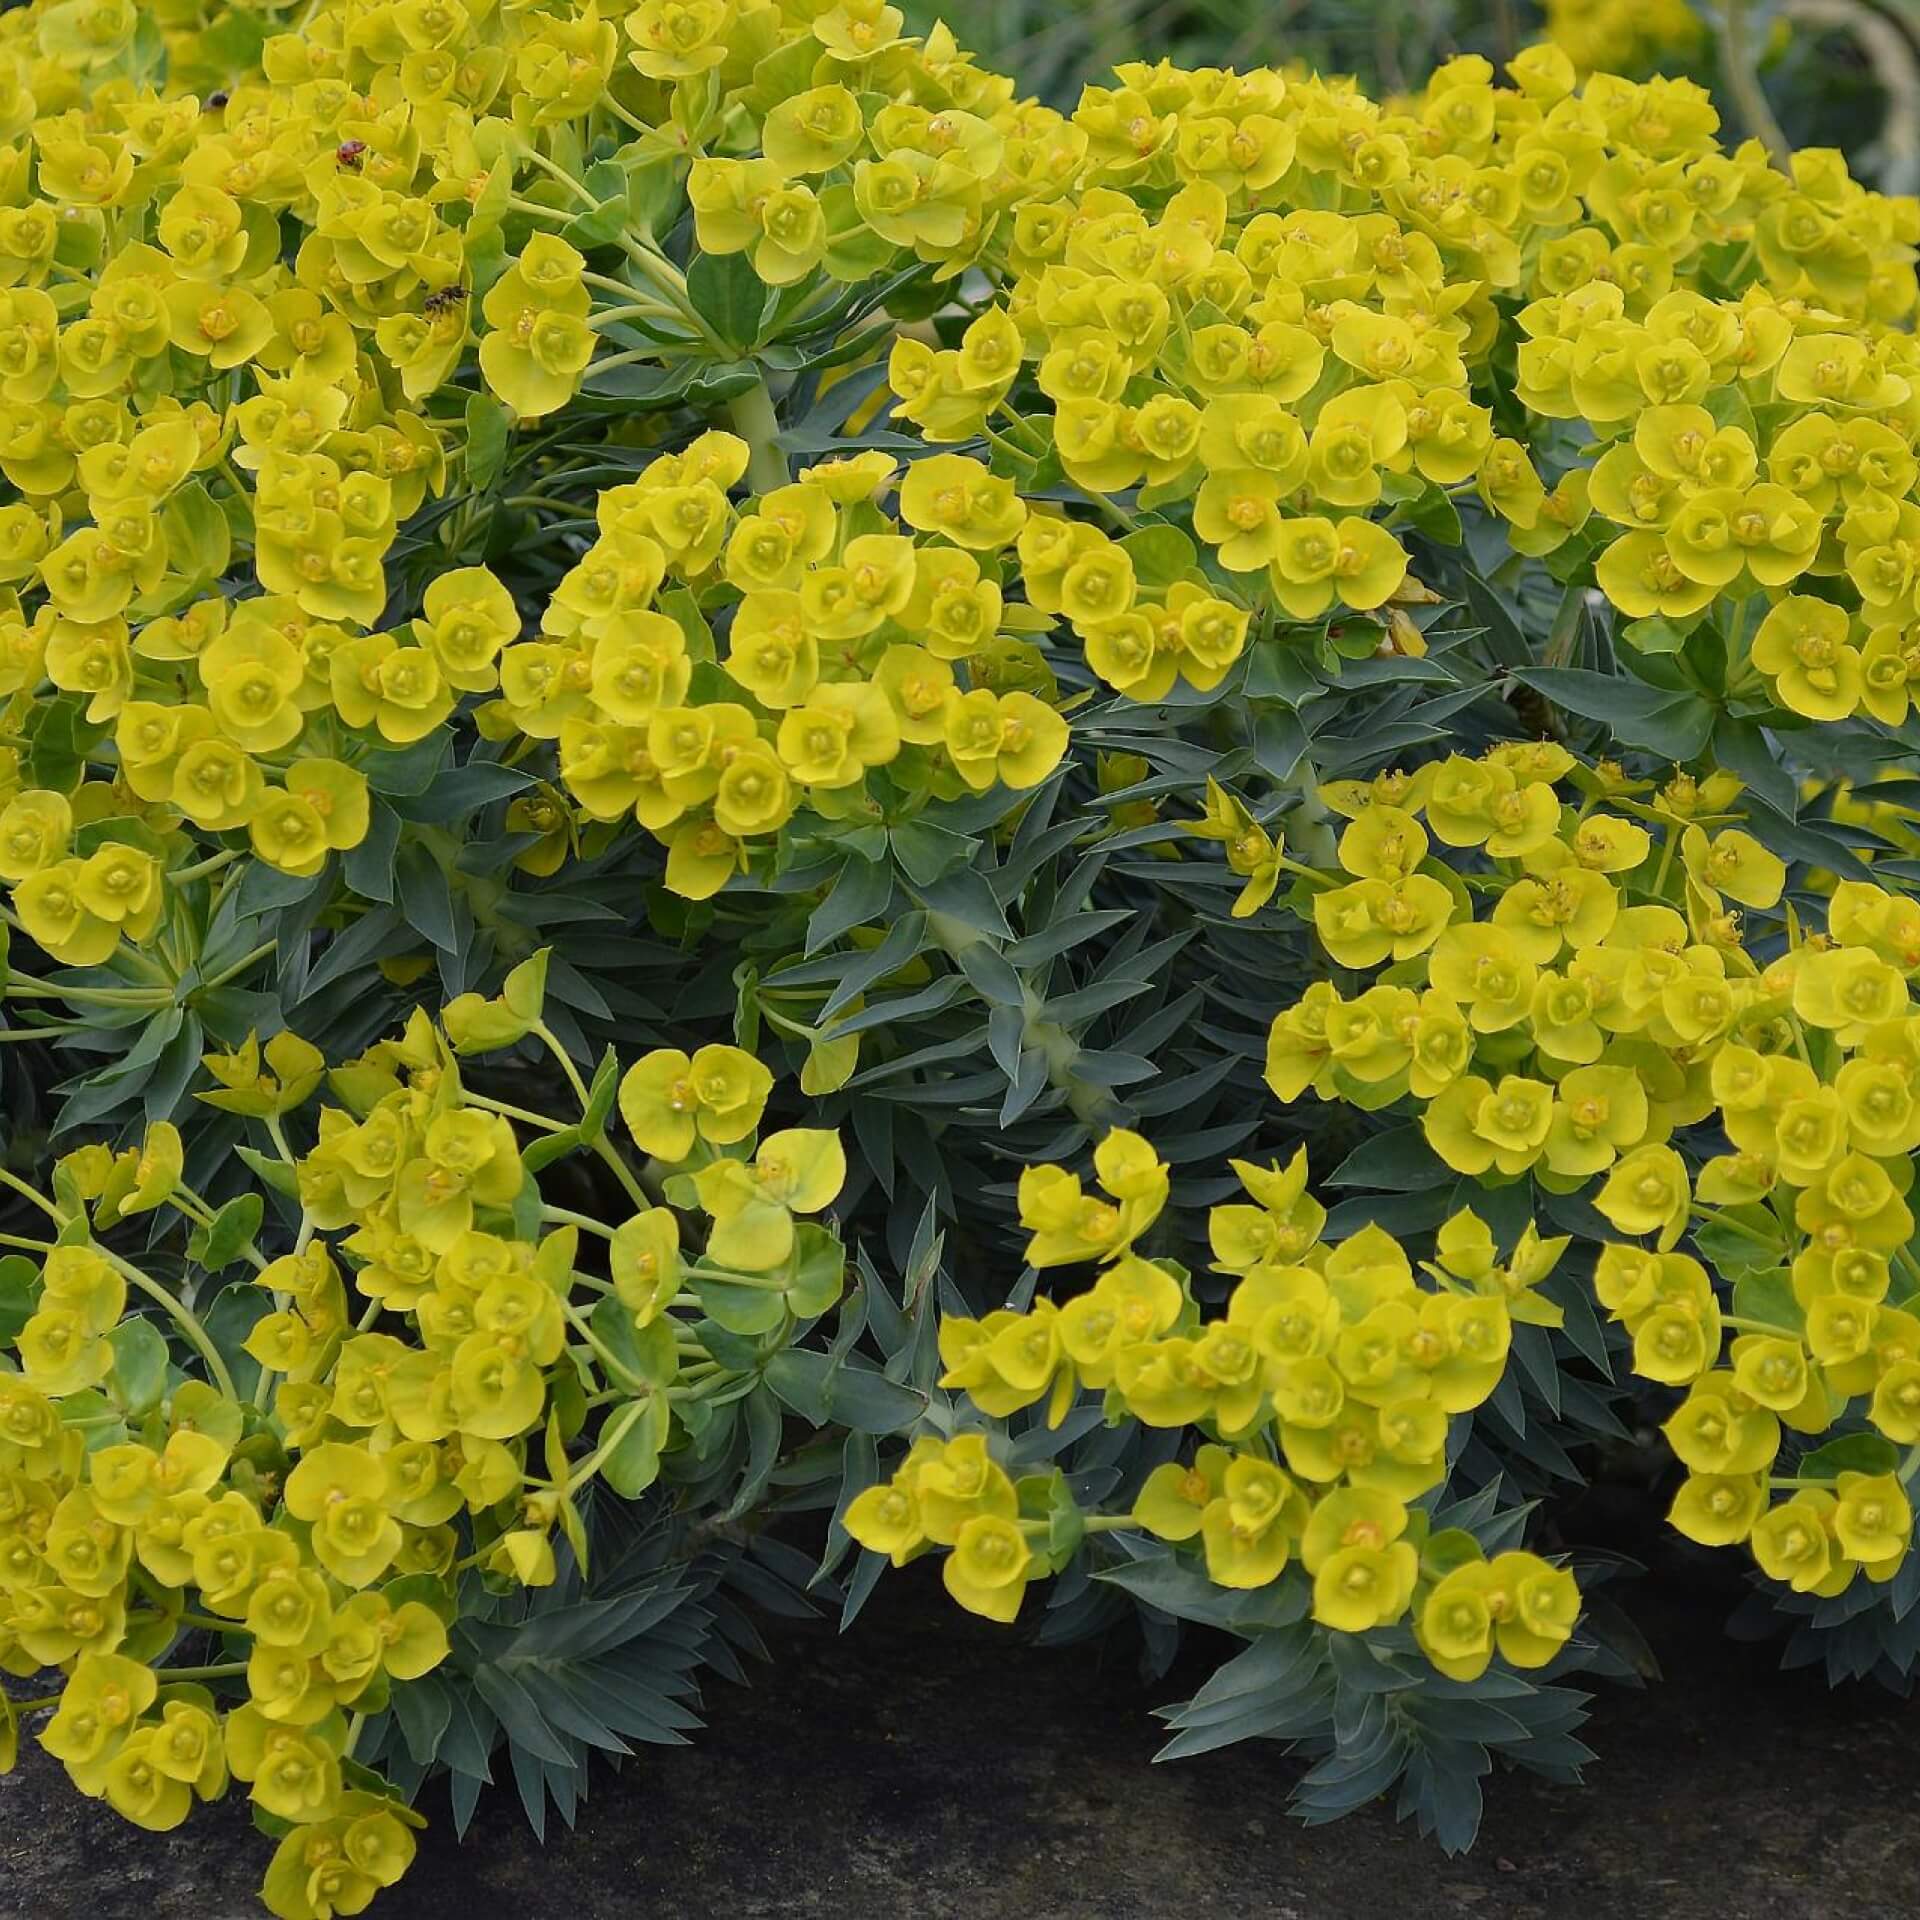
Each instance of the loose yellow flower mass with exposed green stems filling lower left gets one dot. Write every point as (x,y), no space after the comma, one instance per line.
(421,1381)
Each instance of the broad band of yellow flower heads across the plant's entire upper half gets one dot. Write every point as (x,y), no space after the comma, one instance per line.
(1268,304)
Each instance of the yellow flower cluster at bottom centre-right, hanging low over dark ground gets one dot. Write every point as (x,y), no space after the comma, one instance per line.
(1330,1358)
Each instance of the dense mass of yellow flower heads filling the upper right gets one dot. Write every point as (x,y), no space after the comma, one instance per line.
(1299,335)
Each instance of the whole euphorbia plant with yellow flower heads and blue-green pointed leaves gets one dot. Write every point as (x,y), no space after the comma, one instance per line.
(811,633)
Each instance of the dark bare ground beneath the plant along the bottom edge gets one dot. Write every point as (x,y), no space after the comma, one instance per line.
(928,1767)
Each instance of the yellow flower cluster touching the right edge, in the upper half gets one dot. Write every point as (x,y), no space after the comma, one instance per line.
(1813,514)
